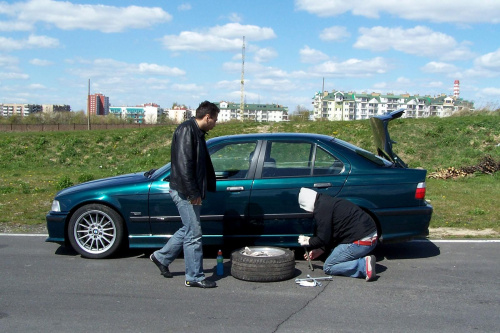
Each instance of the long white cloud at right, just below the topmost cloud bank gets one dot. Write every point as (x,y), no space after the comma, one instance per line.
(420,41)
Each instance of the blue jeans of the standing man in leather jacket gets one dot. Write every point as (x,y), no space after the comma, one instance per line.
(187,238)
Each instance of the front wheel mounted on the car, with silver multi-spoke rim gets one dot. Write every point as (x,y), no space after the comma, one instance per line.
(96,231)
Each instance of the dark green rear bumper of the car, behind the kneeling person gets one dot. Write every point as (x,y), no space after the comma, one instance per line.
(400,224)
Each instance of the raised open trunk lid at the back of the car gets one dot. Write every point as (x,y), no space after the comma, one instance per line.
(381,137)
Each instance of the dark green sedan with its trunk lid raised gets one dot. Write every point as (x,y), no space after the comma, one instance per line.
(258,181)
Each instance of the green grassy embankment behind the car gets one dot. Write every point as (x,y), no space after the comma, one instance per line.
(36,165)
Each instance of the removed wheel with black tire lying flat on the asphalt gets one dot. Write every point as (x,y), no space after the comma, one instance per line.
(278,265)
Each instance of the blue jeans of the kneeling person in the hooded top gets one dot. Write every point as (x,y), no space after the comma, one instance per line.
(348,260)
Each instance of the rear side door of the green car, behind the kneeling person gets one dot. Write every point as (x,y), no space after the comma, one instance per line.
(284,166)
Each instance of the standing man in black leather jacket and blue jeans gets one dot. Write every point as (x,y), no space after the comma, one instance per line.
(192,175)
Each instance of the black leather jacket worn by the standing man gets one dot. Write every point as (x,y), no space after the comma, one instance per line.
(192,172)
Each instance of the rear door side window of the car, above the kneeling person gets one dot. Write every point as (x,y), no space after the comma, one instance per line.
(287,159)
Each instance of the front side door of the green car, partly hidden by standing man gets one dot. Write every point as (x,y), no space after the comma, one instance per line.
(223,212)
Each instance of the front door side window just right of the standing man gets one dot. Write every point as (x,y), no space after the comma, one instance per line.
(232,161)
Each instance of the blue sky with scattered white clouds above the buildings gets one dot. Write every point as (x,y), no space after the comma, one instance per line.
(163,52)
